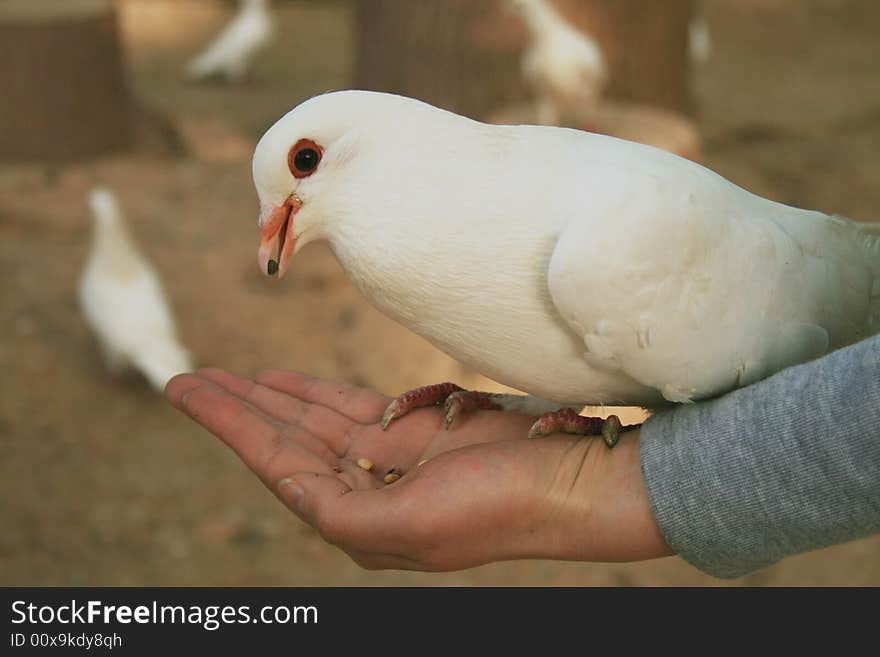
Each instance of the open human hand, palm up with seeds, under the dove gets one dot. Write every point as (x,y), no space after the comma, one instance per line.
(485,493)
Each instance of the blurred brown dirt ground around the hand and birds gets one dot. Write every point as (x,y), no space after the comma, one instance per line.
(103,483)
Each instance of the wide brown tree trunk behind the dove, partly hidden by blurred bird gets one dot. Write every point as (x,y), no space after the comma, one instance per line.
(464,54)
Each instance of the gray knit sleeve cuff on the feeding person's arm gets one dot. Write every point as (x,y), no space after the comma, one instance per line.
(786,465)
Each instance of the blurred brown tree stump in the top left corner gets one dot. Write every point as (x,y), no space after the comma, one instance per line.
(64,89)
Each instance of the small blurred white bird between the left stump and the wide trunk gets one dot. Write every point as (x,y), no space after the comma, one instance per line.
(230,54)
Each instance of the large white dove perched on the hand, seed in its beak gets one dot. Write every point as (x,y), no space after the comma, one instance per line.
(579,268)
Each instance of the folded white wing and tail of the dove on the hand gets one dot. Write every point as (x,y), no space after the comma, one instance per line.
(693,286)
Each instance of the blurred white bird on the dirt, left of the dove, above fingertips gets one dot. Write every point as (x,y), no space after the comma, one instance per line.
(123,302)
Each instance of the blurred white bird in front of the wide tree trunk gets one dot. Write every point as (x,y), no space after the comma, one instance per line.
(564,67)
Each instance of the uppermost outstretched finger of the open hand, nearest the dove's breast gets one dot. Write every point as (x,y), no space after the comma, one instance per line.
(359,404)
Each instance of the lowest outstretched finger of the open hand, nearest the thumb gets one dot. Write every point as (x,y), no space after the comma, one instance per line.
(259,443)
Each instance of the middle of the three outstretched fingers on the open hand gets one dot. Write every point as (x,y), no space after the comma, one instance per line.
(328,425)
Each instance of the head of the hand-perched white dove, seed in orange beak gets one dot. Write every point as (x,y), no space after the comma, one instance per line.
(331,156)
